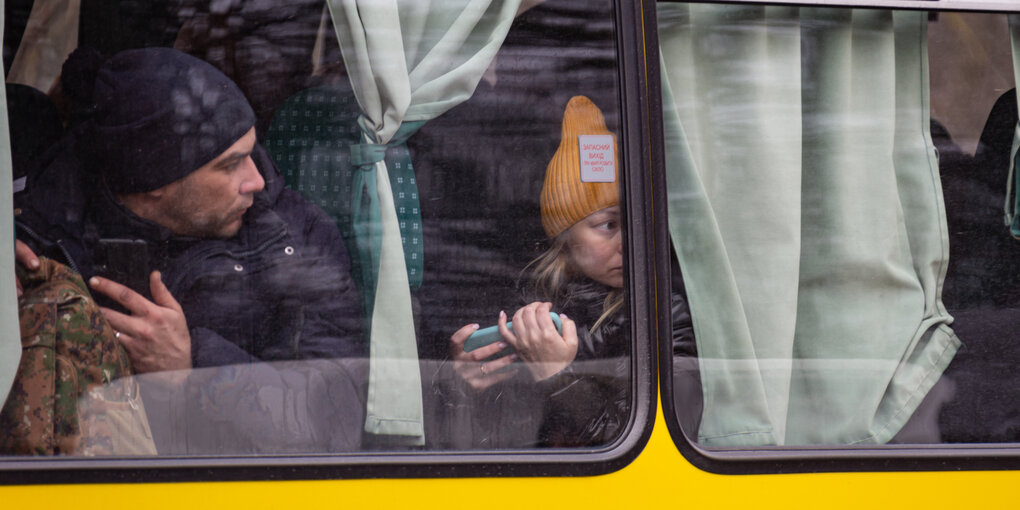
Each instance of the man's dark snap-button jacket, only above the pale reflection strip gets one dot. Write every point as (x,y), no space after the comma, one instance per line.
(280,290)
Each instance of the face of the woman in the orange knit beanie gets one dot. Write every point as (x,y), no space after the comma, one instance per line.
(596,247)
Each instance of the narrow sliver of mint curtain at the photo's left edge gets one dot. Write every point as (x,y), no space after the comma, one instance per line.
(11,336)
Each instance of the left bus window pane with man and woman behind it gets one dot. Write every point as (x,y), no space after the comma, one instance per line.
(335,199)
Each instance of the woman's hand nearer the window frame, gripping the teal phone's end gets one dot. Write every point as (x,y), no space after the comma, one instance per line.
(537,341)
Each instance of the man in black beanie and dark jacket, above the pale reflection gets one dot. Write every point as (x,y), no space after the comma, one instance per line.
(240,269)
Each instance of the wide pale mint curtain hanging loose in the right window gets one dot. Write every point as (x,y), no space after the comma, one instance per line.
(806,210)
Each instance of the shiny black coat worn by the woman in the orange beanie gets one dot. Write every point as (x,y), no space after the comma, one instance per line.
(588,403)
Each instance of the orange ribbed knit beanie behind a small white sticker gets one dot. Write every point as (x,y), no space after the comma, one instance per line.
(568,199)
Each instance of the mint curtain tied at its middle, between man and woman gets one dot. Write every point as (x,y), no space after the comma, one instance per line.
(410,62)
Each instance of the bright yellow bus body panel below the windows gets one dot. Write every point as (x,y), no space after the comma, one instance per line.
(660,477)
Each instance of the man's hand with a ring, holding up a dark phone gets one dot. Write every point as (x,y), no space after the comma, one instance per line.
(156,335)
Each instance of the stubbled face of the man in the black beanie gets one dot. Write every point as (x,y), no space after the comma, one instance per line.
(212,201)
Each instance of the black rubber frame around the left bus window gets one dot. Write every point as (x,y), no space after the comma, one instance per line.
(636,137)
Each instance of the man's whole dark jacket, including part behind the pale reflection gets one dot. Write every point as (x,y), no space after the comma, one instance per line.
(279,292)
